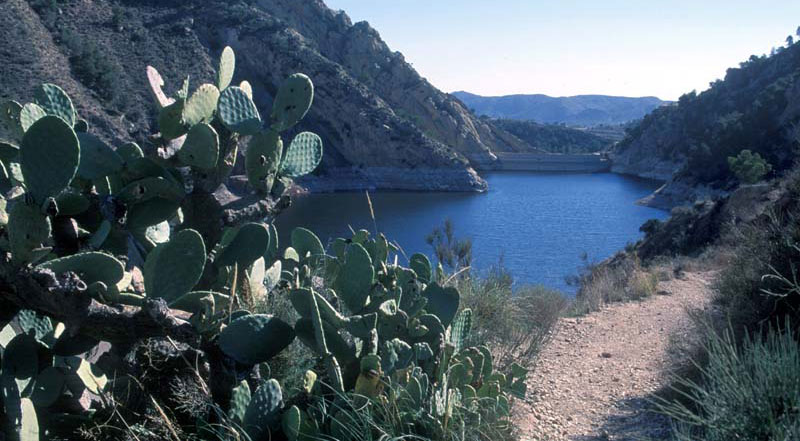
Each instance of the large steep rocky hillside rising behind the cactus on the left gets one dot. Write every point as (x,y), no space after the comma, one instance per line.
(376,115)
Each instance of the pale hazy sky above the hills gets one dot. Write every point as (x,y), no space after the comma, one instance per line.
(570,47)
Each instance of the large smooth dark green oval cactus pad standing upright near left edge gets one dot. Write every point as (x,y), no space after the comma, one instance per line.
(49,157)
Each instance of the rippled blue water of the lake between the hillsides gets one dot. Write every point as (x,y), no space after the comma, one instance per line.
(539,224)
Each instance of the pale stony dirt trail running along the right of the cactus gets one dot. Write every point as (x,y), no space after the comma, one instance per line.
(592,380)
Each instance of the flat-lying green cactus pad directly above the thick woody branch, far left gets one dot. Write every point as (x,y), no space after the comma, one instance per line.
(91,267)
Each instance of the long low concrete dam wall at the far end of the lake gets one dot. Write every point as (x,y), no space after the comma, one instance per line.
(542,162)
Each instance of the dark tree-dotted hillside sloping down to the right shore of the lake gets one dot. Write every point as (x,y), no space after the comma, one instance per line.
(756,107)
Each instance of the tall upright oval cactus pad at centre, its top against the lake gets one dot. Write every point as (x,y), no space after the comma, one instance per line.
(355,279)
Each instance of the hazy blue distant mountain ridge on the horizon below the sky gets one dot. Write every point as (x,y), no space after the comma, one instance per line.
(580,110)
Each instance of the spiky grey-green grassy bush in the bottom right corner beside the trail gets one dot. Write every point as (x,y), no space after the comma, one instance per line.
(748,392)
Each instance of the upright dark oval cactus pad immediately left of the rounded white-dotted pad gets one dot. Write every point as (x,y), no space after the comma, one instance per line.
(262,160)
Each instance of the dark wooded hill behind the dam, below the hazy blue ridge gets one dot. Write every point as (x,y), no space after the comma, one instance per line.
(554,138)
